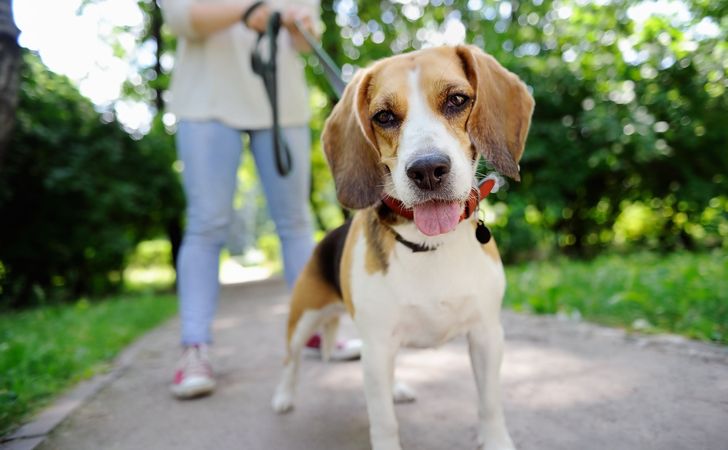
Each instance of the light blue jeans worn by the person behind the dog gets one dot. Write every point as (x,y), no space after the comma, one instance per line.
(210,152)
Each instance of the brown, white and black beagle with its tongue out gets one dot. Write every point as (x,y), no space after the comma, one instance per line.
(403,145)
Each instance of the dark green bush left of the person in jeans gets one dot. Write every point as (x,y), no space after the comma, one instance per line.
(77,194)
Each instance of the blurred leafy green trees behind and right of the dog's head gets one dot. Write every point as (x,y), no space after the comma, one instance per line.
(628,115)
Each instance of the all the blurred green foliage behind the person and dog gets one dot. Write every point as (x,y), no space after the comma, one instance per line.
(627,150)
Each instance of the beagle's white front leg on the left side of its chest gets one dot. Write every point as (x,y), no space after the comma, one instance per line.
(378,353)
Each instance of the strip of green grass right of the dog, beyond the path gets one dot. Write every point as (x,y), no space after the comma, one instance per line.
(683,293)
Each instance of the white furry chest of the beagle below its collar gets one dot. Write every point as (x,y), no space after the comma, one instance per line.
(429,298)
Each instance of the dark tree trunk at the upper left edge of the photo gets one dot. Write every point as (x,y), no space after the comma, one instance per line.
(9,73)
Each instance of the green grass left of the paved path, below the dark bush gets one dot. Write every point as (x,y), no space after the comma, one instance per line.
(45,350)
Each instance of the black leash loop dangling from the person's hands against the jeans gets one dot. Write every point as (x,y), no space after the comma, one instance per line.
(266,69)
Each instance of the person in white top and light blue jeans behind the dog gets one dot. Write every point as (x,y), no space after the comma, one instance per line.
(215,97)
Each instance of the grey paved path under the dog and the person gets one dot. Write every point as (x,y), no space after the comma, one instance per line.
(567,386)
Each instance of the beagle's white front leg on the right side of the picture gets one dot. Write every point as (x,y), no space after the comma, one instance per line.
(486,352)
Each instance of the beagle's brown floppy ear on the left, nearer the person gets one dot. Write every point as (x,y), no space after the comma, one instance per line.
(350,147)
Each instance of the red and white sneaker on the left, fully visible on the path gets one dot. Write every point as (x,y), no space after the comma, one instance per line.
(193,377)
